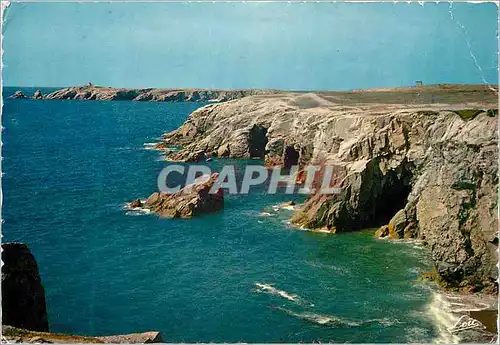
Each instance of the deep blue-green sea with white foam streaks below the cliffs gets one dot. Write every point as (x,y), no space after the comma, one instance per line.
(240,275)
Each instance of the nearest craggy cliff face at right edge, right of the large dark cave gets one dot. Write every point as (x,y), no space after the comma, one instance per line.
(455,199)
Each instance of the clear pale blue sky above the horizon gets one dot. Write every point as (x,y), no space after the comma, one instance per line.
(306,46)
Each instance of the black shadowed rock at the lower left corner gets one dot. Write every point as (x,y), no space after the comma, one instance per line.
(23,296)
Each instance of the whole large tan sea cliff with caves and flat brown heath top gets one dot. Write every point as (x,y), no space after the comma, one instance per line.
(430,168)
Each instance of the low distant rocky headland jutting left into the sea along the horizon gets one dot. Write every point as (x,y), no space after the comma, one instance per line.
(91,92)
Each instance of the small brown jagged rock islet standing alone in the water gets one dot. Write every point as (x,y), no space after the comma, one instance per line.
(190,201)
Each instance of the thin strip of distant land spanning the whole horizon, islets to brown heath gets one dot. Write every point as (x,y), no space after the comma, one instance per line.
(396,95)
